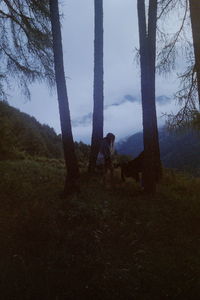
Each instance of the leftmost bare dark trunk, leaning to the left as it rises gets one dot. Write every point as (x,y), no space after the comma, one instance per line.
(67,138)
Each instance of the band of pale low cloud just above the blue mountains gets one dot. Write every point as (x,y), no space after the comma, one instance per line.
(123,119)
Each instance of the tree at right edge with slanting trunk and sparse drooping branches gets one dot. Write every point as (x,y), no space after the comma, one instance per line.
(188,95)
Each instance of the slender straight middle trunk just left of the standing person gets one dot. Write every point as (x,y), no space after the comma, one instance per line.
(97,131)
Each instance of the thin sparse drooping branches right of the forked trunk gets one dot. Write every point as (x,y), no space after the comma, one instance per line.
(176,44)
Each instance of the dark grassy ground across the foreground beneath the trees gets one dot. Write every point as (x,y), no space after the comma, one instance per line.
(113,243)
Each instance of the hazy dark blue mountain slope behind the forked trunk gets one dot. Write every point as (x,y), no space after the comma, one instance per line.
(178,150)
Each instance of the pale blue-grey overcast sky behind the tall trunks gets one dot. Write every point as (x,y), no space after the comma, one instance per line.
(123,115)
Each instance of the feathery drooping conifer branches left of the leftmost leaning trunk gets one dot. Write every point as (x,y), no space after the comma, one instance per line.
(25,44)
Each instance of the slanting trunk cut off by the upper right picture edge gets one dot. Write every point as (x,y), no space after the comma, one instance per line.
(195,22)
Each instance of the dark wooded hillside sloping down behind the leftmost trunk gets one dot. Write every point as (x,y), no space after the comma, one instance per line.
(23,136)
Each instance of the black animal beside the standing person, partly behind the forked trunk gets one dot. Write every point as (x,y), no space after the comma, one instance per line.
(133,167)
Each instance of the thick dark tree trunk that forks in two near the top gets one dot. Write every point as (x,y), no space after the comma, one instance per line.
(147,38)
